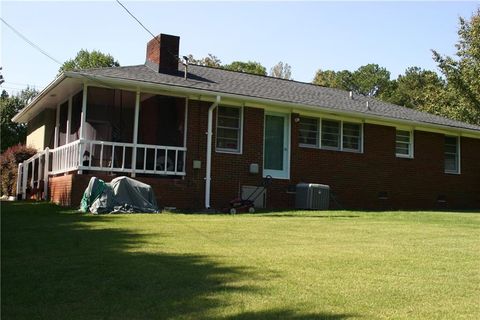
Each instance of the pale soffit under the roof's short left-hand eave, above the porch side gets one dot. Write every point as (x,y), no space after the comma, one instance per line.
(56,92)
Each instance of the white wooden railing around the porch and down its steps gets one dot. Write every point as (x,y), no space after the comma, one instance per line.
(104,156)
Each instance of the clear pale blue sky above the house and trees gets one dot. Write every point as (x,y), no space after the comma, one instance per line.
(308,35)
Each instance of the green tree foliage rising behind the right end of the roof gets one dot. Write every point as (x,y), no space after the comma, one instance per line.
(457,96)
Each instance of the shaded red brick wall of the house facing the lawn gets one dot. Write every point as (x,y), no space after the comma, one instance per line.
(356,179)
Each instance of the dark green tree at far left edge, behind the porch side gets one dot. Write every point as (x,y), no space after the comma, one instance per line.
(13,133)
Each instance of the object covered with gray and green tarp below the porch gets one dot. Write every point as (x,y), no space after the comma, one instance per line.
(121,195)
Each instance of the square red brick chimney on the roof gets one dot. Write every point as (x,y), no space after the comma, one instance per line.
(162,53)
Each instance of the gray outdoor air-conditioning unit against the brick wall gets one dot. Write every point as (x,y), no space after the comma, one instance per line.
(312,196)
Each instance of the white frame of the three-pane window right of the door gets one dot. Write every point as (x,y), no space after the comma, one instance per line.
(341,121)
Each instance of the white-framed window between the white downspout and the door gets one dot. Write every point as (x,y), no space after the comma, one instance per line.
(229,129)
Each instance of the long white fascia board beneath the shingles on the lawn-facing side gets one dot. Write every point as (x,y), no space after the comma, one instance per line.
(208,95)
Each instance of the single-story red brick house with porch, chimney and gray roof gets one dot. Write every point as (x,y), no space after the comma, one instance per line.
(199,135)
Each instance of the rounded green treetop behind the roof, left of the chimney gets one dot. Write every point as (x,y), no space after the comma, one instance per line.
(89,60)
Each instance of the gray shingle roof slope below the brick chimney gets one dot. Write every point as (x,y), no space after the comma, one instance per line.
(263,87)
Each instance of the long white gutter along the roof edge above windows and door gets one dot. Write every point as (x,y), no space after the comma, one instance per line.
(204,92)
